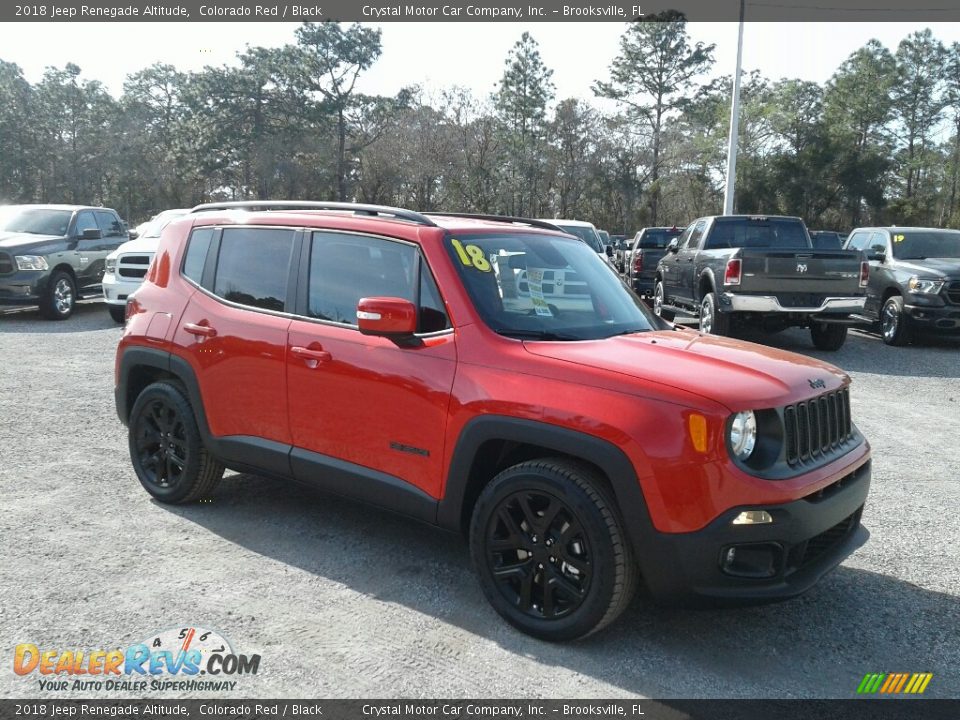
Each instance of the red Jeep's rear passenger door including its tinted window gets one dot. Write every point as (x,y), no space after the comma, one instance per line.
(234,333)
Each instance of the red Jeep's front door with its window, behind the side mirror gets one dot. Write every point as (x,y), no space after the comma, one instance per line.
(360,404)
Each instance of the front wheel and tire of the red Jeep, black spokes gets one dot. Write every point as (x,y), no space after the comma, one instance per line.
(560,578)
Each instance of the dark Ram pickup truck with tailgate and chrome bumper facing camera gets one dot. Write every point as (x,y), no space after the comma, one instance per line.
(763,272)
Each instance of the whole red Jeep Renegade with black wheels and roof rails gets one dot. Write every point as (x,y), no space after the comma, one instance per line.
(491,376)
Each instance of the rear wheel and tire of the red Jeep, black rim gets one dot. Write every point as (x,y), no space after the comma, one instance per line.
(182,472)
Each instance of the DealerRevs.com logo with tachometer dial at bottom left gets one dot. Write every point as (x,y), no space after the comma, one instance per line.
(184,659)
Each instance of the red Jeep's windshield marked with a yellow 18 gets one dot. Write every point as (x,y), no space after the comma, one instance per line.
(545,287)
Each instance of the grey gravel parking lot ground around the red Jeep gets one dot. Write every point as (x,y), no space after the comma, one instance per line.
(342,600)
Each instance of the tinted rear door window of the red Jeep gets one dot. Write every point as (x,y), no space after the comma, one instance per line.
(253,265)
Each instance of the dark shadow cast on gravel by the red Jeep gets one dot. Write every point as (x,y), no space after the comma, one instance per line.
(818,645)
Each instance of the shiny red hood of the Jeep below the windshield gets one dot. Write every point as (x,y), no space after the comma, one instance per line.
(740,375)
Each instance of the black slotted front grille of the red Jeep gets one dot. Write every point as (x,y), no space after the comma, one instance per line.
(816,427)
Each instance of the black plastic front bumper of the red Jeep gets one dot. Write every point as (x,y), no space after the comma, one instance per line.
(807,539)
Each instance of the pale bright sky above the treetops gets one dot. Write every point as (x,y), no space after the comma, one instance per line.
(439,55)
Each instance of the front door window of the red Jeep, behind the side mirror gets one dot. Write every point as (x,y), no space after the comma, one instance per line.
(345,268)
